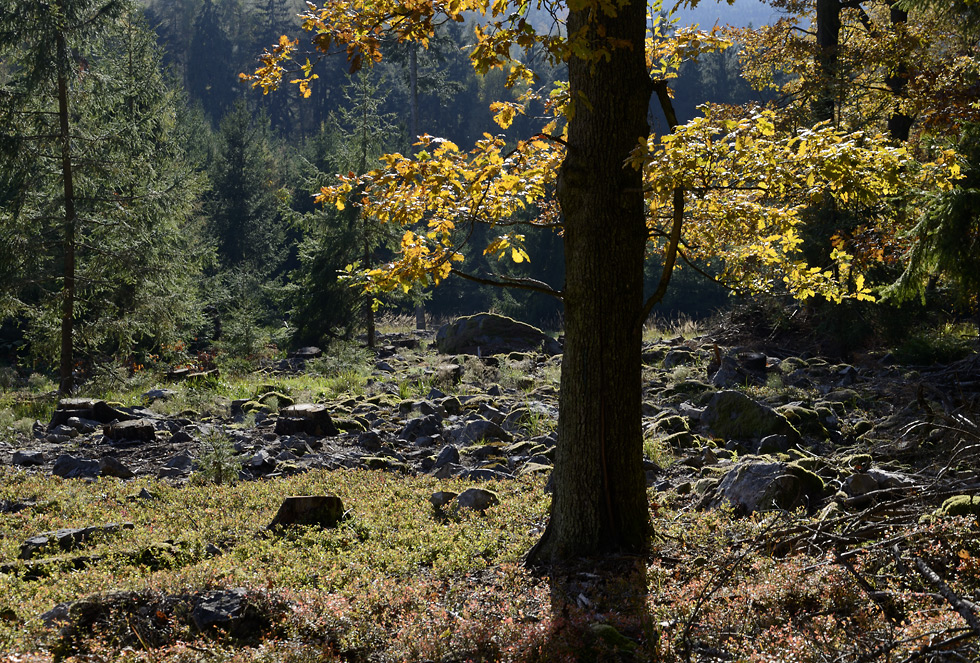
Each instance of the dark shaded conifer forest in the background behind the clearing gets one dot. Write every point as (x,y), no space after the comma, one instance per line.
(251,260)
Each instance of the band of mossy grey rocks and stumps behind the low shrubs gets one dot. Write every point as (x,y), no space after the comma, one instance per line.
(742,425)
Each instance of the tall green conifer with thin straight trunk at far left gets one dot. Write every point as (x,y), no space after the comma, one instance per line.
(88,234)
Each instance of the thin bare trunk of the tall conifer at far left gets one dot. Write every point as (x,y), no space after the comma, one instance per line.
(66,381)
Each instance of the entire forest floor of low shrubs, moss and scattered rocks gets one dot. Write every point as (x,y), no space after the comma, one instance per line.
(836,521)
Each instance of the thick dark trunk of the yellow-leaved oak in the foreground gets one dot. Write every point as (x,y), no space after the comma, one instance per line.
(599,503)
